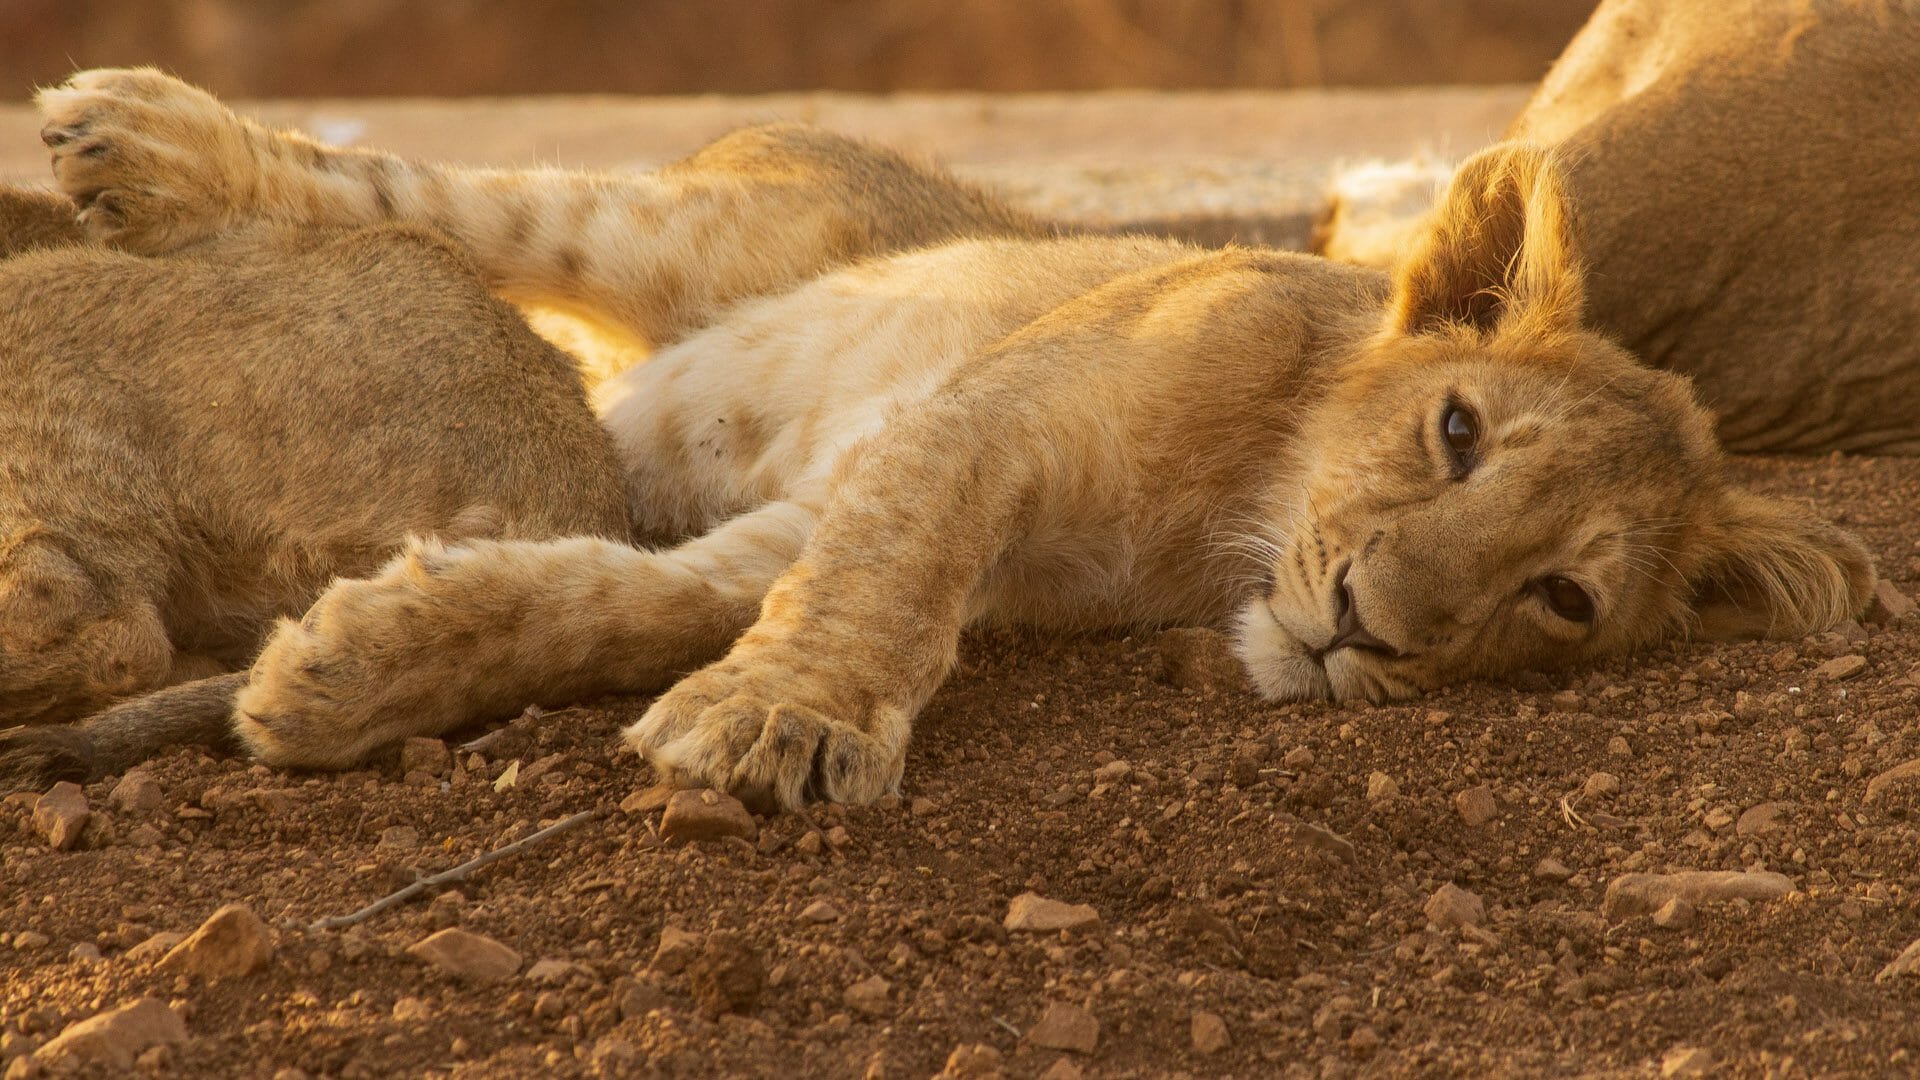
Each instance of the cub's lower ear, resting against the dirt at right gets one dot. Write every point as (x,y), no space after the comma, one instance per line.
(1777,572)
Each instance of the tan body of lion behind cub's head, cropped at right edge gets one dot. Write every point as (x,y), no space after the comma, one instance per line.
(1744,176)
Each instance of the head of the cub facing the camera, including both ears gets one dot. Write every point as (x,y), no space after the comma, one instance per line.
(1491,487)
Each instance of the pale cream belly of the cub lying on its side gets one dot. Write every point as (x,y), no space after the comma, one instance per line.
(763,405)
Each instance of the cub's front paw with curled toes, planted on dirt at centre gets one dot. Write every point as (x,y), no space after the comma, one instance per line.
(775,735)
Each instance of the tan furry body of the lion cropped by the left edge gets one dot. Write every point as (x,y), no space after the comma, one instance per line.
(195,447)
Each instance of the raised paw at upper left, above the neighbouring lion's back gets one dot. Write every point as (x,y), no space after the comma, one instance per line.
(151,162)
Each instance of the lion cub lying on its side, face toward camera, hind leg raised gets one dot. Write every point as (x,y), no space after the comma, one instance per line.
(886,408)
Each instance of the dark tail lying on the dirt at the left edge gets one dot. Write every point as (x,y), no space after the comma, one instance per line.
(36,758)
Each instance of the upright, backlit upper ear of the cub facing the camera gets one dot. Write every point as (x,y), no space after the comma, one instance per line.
(1497,255)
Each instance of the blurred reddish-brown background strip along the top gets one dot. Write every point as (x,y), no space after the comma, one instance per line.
(287,49)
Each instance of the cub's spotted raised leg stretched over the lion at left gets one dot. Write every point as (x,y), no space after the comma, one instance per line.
(156,164)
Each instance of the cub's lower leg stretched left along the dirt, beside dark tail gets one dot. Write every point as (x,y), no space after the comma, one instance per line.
(450,635)
